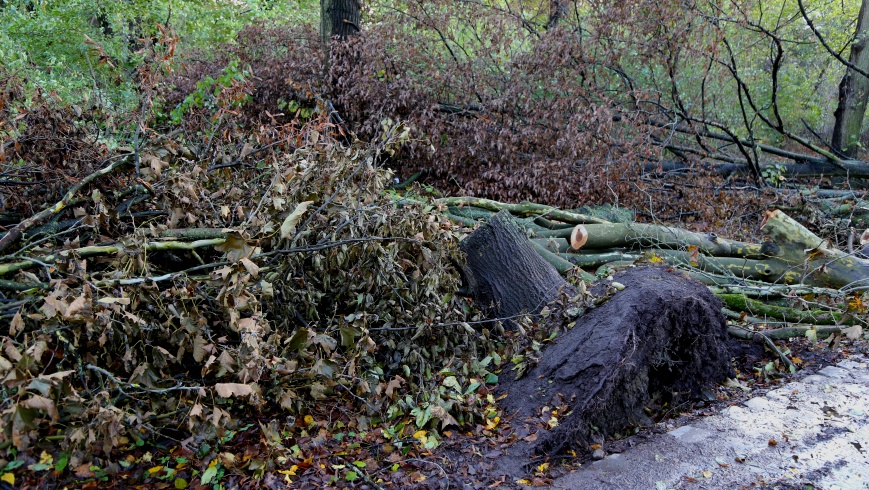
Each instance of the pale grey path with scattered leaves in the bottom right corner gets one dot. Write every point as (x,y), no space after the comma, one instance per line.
(812,431)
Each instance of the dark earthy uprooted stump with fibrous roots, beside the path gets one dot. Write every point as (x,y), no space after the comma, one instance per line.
(660,341)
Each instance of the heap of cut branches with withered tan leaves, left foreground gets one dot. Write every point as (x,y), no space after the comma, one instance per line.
(175,301)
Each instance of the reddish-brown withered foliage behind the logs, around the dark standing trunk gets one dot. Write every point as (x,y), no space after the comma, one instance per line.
(543,127)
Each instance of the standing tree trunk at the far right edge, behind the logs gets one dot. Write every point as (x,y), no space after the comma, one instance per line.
(853,90)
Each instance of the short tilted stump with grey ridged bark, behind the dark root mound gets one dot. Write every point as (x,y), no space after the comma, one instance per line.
(505,272)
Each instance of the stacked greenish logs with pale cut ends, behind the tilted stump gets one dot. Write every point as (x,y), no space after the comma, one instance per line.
(795,280)
